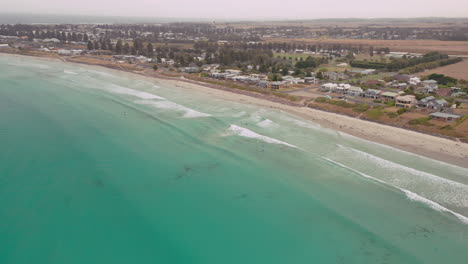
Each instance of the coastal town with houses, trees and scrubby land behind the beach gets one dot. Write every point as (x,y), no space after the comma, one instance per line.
(391,86)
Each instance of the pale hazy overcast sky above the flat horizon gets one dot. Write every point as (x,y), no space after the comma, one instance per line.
(235,9)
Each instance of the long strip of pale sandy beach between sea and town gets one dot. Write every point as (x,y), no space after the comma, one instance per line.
(430,146)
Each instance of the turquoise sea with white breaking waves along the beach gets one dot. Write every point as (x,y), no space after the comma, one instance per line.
(99,166)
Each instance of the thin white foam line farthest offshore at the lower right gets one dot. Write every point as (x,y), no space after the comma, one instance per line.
(410,195)
